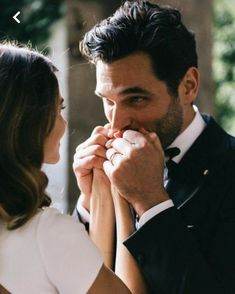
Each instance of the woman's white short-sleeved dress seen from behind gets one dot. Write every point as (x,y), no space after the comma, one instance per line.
(51,253)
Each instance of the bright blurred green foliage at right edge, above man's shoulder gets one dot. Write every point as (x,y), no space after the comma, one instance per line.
(224,62)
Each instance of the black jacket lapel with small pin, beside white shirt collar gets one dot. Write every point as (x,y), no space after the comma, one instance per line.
(197,164)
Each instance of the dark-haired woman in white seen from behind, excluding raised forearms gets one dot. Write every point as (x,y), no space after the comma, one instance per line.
(41,250)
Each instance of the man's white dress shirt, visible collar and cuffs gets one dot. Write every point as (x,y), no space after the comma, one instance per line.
(184,141)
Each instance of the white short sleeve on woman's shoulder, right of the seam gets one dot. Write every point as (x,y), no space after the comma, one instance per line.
(64,243)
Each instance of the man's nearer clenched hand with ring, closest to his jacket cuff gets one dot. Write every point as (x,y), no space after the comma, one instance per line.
(136,167)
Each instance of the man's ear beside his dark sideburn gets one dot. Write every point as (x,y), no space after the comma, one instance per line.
(188,88)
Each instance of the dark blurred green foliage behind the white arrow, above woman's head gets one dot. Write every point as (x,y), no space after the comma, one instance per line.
(36,18)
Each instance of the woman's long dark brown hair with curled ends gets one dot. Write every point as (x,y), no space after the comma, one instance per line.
(29,97)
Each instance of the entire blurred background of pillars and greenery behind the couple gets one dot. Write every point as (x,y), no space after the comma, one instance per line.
(56,26)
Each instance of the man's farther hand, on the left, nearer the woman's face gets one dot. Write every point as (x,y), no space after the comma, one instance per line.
(89,155)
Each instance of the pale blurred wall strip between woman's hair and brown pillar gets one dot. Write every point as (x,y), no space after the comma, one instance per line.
(59,173)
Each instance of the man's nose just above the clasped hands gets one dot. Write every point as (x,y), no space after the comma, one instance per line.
(120,119)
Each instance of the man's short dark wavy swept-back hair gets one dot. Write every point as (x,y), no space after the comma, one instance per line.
(140,26)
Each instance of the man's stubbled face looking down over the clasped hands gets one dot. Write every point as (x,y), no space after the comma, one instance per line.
(133,97)
